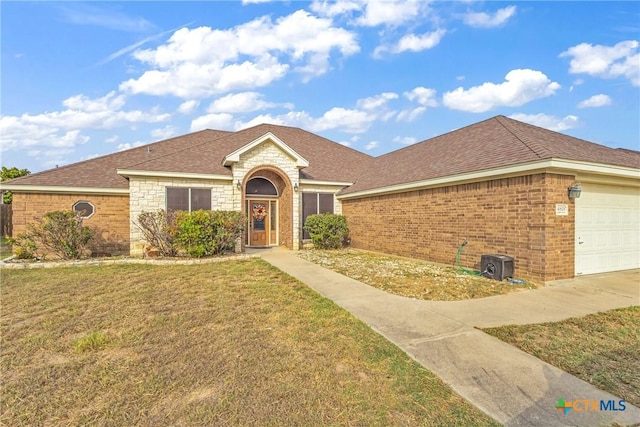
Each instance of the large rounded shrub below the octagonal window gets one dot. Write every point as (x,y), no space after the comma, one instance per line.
(62,233)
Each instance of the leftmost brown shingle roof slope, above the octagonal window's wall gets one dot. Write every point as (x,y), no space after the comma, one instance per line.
(100,172)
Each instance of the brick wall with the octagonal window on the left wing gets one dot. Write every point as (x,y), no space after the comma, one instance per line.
(110,220)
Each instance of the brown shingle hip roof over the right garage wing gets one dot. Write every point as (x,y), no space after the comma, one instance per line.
(492,143)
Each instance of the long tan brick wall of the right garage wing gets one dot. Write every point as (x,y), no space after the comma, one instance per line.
(511,216)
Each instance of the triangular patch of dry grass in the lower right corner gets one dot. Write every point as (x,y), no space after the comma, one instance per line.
(602,349)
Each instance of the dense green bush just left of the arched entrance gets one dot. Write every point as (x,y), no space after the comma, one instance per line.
(205,233)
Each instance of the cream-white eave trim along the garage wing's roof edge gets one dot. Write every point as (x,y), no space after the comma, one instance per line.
(549,165)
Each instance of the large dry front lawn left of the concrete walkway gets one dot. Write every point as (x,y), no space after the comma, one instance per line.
(230,343)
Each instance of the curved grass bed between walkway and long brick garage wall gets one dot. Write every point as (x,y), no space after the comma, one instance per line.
(410,277)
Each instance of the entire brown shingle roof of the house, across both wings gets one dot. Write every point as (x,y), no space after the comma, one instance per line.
(492,143)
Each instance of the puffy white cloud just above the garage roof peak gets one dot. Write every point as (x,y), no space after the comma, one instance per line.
(520,87)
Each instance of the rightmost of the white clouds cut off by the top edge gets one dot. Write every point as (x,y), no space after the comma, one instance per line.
(390,12)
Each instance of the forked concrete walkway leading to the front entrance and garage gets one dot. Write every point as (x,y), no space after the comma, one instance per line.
(509,385)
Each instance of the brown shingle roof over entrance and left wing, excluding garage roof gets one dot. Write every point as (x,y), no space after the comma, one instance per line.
(203,152)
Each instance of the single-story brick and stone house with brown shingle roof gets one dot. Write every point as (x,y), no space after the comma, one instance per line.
(505,186)
